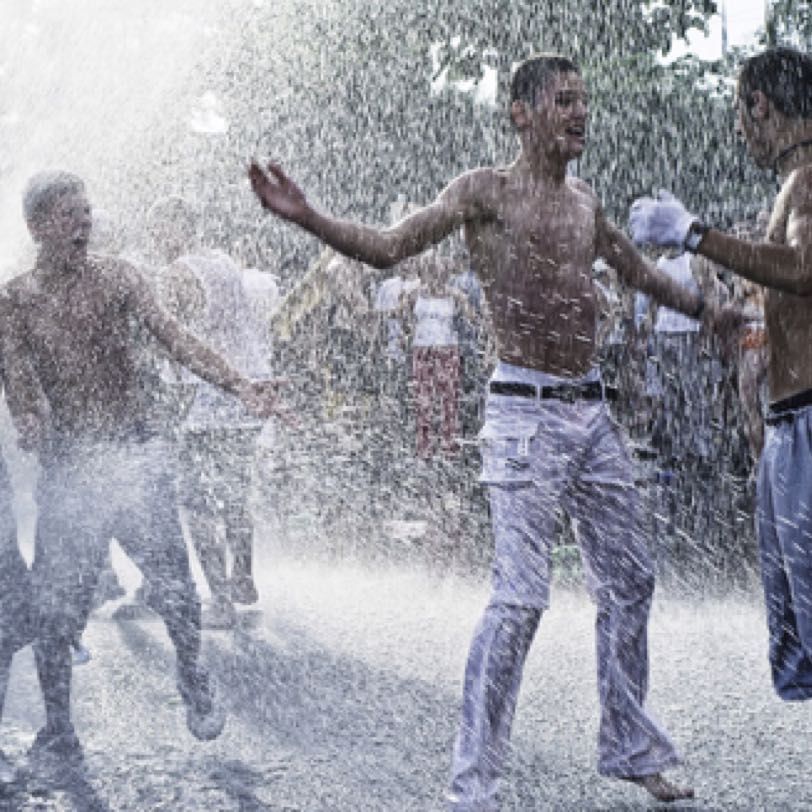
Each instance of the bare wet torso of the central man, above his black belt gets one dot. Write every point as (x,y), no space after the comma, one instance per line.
(534,250)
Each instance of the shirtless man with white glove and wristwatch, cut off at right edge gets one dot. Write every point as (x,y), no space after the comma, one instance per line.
(774,116)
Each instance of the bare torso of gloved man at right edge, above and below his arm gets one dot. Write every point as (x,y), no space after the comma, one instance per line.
(788,317)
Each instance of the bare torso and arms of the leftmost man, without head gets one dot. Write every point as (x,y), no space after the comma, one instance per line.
(78,329)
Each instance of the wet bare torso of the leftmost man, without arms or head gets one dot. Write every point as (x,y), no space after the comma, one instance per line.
(83,340)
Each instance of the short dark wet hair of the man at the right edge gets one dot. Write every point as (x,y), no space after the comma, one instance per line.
(784,76)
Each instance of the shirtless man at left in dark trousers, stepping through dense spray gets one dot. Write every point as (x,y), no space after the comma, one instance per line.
(71,327)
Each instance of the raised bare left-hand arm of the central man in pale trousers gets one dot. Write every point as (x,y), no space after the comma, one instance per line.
(379,247)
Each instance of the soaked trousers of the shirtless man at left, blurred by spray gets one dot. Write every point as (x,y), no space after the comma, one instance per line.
(85,496)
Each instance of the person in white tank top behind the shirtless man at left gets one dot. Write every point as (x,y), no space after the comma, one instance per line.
(205,289)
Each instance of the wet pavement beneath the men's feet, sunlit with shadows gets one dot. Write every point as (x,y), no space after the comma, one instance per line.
(344,687)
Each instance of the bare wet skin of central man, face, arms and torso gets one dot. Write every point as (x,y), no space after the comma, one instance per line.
(533,234)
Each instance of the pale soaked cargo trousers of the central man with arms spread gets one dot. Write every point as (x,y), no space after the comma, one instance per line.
(541,456)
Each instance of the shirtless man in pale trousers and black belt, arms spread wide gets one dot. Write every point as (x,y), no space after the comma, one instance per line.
(533,233)
